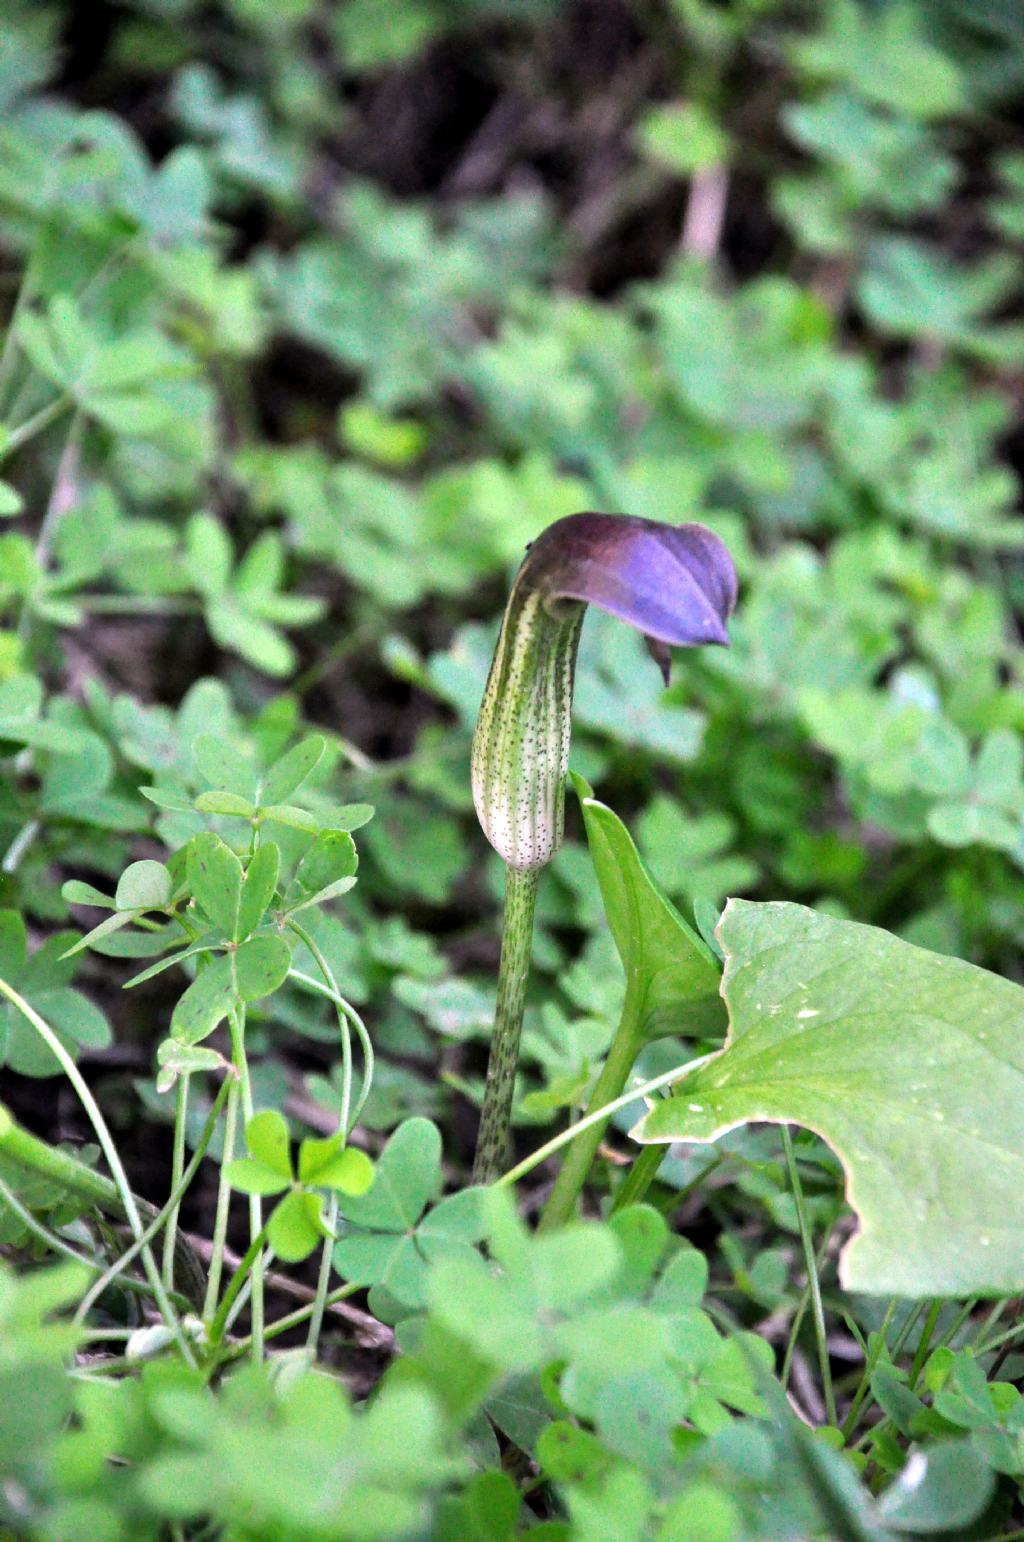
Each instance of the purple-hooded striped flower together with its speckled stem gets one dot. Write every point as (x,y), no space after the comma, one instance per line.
(676,585)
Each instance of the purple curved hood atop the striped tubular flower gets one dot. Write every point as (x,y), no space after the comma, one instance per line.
(675,584)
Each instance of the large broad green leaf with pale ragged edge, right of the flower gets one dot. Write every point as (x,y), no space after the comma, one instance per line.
(909,1063)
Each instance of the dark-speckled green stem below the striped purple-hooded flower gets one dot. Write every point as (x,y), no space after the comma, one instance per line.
(493,1142)
